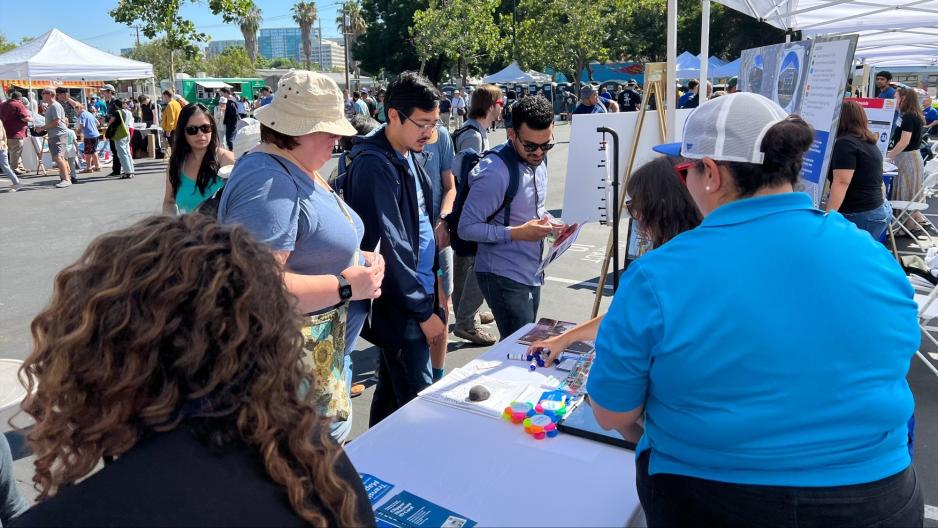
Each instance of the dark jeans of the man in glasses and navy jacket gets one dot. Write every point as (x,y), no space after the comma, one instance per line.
(402,373)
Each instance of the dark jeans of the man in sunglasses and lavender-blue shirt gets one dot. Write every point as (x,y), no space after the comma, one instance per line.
(513,304)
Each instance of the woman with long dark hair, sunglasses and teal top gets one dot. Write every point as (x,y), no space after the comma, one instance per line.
(197,156)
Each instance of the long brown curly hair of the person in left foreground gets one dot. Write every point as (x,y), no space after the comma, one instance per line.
(177,322)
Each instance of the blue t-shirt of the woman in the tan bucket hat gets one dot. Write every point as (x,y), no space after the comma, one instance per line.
(289,212)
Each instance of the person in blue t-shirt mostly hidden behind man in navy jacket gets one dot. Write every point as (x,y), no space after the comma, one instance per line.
(437,162)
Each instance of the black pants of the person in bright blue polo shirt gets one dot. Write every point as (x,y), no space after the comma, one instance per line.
(676,500)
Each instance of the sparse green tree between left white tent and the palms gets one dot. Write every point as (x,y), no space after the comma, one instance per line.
(161,18)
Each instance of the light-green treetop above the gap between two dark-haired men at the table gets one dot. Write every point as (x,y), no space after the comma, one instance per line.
(461,30)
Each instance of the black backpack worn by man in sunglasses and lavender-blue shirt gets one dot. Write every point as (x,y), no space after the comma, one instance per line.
(471,158)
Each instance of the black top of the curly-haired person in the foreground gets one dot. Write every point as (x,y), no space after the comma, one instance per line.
(172,479)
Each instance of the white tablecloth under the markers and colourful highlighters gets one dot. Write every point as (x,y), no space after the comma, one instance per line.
(490,470)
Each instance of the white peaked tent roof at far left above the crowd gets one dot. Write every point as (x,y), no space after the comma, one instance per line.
(57,56)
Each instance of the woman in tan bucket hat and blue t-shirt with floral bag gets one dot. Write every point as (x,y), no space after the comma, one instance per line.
(276,192)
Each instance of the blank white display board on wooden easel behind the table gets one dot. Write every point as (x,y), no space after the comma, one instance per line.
(587,189)
